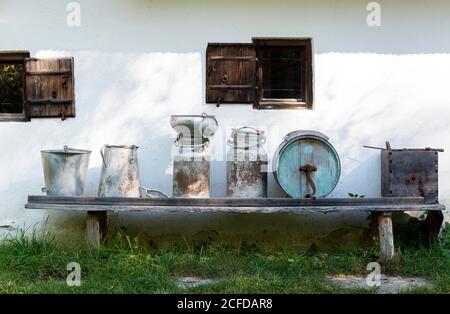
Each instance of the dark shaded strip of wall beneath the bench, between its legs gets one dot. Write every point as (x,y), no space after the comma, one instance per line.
(298,232)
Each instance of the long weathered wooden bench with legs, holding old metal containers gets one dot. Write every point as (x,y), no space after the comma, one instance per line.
(97,208)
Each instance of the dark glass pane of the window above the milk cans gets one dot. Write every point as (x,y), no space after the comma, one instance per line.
(282,73)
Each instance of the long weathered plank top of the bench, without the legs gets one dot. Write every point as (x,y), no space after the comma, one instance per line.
(412,203)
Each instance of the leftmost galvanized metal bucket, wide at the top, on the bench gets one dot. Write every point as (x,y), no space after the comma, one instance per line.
(65,171)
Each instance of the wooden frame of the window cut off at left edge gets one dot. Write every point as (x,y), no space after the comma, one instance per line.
(16,57)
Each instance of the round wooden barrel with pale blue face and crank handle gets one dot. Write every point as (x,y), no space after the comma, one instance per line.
(306,148)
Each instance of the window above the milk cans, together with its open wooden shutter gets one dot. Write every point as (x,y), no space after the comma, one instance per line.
(271,73)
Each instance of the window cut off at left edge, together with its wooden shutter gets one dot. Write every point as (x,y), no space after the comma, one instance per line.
(35,88)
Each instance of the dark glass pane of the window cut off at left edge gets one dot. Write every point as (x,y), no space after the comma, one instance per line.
(11,88)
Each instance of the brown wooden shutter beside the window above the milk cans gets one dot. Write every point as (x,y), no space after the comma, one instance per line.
(230,73)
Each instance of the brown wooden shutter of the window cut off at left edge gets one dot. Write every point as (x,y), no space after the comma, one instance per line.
(49,88)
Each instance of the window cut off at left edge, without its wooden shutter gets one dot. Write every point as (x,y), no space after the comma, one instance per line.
(12,82)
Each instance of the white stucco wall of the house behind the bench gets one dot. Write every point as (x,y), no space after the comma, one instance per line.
(137,62)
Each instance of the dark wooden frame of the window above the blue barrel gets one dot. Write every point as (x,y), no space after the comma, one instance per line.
(306,43)
